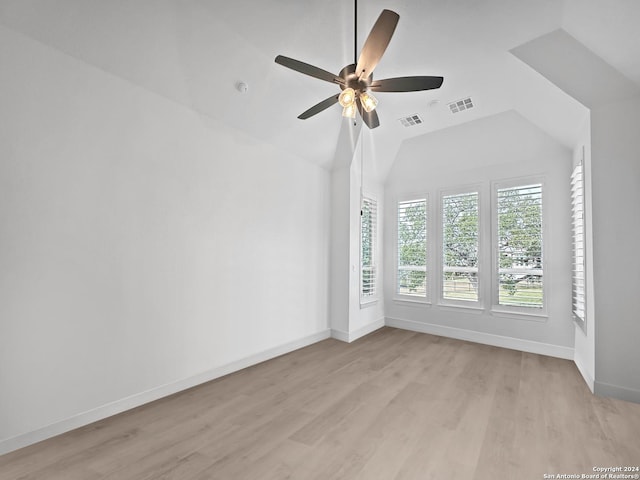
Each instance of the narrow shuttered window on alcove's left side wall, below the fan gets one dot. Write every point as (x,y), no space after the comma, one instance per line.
(368,229)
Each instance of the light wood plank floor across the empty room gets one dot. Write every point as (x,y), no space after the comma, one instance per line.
(393,405)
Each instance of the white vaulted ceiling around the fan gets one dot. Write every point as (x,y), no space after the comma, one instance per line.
(195,52)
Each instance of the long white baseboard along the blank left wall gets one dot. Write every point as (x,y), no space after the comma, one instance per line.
(113,408)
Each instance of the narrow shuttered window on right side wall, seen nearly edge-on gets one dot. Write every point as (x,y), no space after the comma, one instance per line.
(578,270)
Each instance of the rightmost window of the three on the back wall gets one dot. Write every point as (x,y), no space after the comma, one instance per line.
(519,246)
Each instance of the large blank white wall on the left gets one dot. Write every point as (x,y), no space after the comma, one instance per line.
(141,245)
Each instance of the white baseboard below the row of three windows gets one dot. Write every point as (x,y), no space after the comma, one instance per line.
(484,338)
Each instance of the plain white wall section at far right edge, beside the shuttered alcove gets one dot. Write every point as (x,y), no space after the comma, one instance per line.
(615,180)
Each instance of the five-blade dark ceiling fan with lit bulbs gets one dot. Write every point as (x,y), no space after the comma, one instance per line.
(356,80)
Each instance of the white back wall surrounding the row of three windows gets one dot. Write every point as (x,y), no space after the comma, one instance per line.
(504,146)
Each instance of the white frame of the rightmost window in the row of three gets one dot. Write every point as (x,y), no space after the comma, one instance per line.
(534,313)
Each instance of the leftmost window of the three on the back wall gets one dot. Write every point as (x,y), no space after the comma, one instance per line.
(412,248)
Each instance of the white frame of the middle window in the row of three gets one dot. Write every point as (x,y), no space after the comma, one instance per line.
(439,281)
